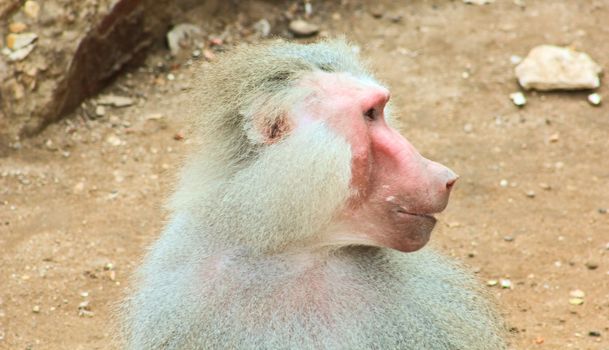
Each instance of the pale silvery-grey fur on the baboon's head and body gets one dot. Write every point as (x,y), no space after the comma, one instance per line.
(234,268)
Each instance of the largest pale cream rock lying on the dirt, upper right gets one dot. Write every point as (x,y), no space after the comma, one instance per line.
(550,67)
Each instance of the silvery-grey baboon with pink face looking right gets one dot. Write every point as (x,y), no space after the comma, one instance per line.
(297,220)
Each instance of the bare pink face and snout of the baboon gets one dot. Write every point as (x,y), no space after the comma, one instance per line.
(396,189)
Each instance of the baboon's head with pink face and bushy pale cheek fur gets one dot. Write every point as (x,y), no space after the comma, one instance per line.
(327,168)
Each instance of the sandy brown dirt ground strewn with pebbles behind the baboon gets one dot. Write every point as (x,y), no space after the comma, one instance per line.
(80,202)
